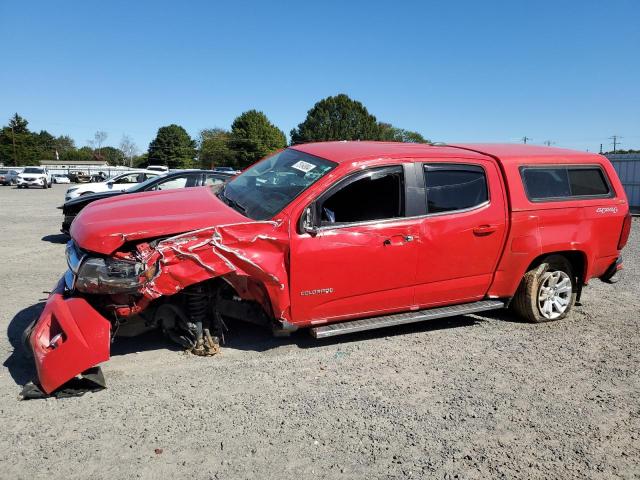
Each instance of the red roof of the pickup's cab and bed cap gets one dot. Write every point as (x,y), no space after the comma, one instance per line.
(351,151)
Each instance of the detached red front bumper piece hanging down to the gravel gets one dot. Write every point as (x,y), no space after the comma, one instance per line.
(69,337)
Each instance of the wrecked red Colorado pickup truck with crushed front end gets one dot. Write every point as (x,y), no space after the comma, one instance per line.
(337,237)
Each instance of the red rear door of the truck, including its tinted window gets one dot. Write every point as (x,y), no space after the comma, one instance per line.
(462,233)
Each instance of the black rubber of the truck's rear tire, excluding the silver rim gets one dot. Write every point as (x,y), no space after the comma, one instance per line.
(525,301)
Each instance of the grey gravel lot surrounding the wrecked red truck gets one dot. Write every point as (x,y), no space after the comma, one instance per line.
(470,397)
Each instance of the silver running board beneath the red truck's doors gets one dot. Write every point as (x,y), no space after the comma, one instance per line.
(342,328)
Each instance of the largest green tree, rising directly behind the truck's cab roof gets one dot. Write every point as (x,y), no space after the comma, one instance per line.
(336,118)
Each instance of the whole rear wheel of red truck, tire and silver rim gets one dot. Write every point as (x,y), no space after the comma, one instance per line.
(547,292)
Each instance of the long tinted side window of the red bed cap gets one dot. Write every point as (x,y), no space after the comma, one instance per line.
(548,183)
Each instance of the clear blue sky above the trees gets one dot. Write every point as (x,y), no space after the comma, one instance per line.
(456,71)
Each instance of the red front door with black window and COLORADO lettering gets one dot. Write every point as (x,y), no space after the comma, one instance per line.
(362,260)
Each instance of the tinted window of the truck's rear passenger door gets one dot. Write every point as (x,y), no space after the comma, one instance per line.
(453,187)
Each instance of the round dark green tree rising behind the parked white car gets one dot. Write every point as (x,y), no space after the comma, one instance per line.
(172,147)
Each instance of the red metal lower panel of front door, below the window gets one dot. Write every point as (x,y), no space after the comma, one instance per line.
(353,271)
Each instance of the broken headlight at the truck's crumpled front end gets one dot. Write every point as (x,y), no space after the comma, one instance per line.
(111,276)
